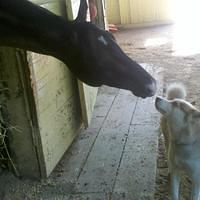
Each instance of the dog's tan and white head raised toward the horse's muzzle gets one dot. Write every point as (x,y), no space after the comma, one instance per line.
(182,117)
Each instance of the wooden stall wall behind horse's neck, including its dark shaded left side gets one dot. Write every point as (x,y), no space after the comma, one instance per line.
(43,107)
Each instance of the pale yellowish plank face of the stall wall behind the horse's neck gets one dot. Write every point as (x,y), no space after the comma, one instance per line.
(57,103)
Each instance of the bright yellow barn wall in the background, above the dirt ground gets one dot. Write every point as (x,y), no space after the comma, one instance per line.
(138,11)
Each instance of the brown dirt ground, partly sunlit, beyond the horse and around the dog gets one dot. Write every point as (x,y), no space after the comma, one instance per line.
(161,52)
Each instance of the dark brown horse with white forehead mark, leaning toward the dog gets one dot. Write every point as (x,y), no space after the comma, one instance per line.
(90,53)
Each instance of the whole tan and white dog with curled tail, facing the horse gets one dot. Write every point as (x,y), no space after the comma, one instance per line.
(180,124)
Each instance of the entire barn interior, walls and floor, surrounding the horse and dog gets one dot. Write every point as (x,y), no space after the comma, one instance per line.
(66,140)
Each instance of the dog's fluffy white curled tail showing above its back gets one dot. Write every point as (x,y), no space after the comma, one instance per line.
(176,90)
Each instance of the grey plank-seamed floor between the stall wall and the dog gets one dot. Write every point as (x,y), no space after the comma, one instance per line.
(115,158)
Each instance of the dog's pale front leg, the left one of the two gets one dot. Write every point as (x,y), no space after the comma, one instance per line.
(175,183)
